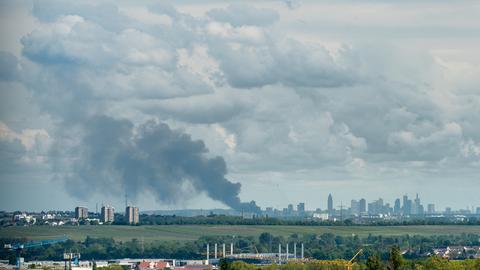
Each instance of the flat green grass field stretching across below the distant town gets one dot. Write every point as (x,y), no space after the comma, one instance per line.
(193,232)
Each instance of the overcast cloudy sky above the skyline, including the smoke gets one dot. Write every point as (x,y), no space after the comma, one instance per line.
(203,104)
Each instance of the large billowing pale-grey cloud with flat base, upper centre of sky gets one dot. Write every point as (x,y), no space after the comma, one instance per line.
(259,60)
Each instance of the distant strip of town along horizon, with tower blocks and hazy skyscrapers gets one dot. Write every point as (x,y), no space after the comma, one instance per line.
(357,212)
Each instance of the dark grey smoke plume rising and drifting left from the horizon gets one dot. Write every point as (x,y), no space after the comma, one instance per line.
(152,158)
